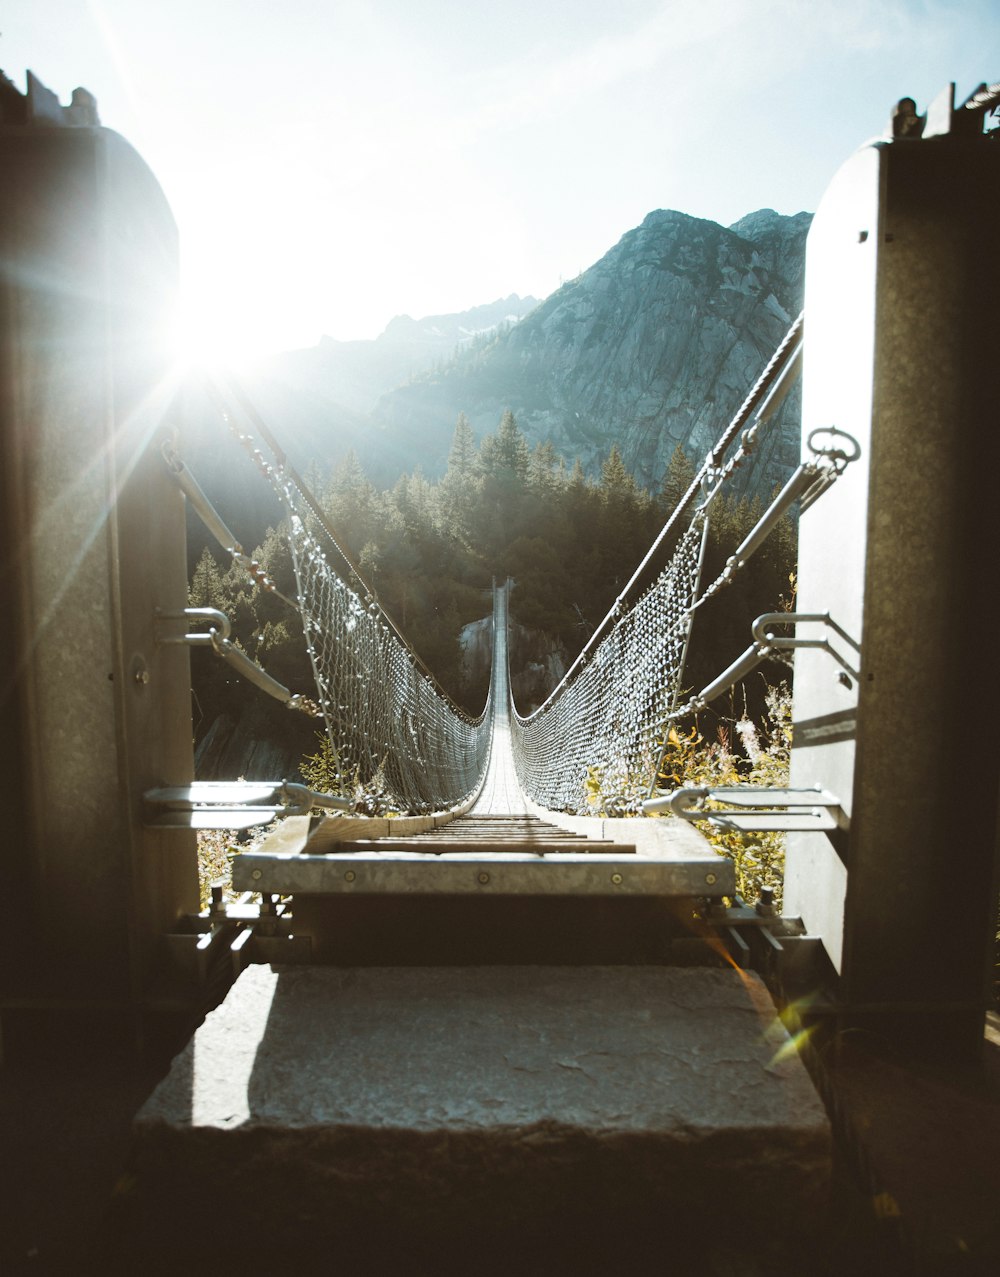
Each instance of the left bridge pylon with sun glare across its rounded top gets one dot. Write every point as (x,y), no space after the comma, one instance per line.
(93,534)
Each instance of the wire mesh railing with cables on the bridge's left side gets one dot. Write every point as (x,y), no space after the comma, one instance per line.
(391,730)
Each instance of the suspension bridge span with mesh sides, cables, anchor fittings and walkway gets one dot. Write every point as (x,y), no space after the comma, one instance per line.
(497,787)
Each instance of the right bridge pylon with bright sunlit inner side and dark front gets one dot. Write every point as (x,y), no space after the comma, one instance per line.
(902,279)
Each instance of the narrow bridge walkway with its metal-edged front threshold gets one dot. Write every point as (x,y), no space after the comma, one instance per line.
(533,851)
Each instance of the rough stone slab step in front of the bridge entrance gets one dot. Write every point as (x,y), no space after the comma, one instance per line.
(472,1119)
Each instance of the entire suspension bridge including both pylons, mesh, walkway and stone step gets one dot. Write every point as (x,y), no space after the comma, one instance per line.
(487,1015)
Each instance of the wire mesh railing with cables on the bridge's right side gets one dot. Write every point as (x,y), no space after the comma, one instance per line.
(605,726)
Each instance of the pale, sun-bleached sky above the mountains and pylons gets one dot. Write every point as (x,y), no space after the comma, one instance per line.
(333,164)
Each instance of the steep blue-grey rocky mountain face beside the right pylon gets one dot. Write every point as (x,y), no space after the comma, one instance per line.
(655,345)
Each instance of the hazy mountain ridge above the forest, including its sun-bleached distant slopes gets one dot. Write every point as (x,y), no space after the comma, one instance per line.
(655,345)
